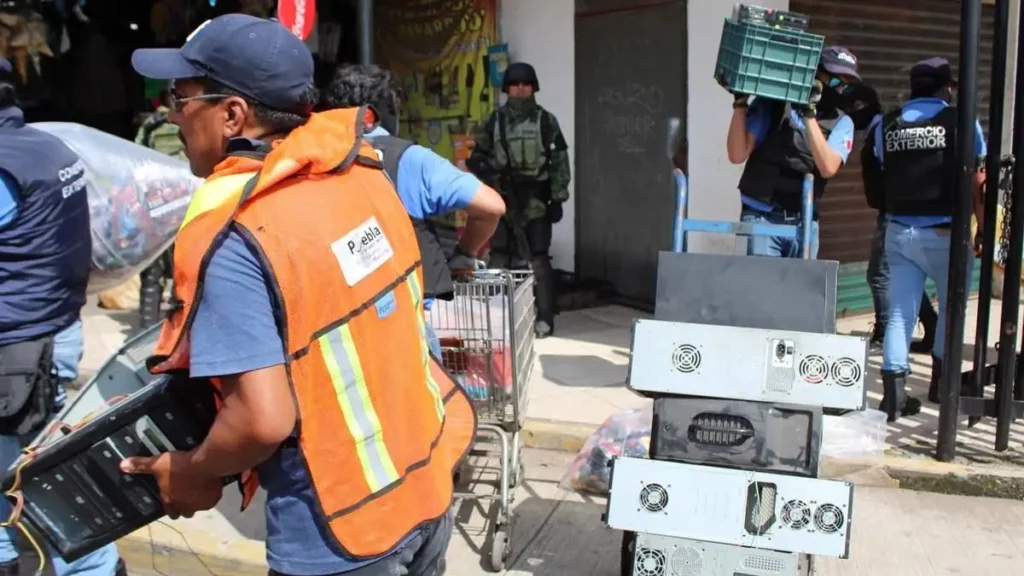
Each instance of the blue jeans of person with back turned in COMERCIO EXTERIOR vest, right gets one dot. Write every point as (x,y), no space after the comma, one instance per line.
(914,255)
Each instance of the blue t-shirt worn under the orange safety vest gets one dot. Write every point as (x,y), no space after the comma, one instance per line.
(235,332)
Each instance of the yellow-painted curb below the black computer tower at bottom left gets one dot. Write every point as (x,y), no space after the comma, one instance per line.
(161,550)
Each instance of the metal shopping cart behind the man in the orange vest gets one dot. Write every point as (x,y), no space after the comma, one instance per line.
(487,337)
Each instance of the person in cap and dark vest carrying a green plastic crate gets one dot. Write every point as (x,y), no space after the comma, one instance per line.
(783,143)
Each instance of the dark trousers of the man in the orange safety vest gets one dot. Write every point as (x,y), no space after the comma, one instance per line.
(423,556)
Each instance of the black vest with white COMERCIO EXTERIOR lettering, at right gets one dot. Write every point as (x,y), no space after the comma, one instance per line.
(919,164)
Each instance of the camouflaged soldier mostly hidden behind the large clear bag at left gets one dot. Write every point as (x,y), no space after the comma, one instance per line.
(160,135)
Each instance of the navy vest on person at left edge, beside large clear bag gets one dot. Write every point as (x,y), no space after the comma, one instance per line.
(46,253)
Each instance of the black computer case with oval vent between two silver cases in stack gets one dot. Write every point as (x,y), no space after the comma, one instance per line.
(772,438)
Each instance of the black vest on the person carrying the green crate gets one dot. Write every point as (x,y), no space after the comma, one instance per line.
(776,171)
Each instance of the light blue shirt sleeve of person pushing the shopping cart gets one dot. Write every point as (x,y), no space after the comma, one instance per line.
(430,185)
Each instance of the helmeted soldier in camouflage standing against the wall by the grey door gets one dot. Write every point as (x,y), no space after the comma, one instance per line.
(522,153)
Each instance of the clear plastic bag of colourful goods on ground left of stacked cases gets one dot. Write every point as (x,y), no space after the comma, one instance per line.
(625,434)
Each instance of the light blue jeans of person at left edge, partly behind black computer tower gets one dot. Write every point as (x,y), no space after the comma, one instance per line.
(67,355)
